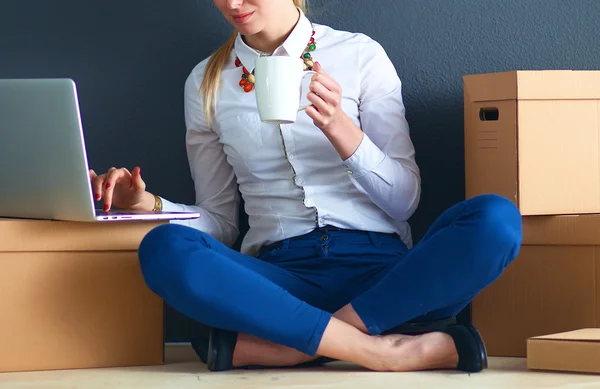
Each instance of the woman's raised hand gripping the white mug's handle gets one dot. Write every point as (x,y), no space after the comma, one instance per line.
(327,113)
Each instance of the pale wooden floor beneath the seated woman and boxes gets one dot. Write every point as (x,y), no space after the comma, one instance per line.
(183,371)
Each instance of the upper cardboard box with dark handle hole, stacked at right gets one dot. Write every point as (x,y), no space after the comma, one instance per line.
(534,137)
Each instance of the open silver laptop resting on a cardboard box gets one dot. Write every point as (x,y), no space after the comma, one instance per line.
(44,171)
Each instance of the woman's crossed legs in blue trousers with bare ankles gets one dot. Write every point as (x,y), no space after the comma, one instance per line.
(465,250)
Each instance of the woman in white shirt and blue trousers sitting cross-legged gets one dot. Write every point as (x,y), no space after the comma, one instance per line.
(327,270)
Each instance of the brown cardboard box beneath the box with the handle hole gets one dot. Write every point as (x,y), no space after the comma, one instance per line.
(551,287)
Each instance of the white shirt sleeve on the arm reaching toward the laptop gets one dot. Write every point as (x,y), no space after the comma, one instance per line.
(217,197)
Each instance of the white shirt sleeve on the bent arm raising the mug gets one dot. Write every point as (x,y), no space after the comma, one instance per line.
(383,167)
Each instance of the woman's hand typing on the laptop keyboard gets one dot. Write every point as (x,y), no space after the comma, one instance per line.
(121,188)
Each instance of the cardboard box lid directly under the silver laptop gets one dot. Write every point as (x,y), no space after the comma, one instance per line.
(17,235)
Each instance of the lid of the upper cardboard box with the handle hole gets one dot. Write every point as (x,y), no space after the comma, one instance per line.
(534,85)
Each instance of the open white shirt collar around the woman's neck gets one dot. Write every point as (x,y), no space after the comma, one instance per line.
(294,45)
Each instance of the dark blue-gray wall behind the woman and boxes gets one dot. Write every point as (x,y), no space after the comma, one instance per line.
(130,60)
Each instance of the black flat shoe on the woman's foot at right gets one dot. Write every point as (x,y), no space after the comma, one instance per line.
(472,354)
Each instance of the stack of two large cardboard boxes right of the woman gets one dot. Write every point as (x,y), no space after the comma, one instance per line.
(534,137)
